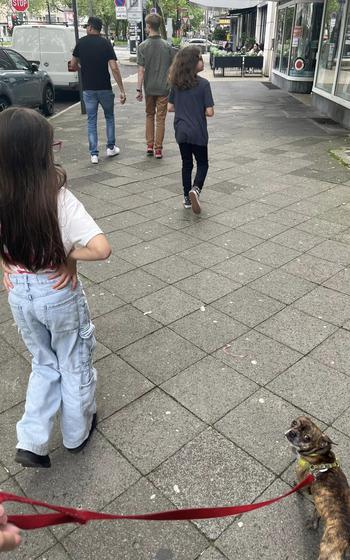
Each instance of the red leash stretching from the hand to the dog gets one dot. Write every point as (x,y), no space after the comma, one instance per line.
(73,515)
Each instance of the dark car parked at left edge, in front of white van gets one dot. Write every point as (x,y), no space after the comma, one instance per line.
(22,83)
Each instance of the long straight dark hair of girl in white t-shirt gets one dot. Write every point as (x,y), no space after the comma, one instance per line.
(29,186)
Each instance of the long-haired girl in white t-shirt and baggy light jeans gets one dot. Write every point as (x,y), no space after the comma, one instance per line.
(44,231)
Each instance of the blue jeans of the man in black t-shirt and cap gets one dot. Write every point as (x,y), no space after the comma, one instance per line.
(92,98)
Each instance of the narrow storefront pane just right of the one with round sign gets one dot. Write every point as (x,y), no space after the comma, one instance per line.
(330,44)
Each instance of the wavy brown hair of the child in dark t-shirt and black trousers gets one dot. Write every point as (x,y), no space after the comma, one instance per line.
(183,71)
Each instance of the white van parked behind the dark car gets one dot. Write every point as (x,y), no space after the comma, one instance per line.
(52,47)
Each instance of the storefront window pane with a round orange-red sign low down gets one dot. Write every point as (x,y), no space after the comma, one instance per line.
(305,38)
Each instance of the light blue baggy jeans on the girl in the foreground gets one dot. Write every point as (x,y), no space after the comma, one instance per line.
(56,328)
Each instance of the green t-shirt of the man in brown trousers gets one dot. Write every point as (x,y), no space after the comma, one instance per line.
(156,56)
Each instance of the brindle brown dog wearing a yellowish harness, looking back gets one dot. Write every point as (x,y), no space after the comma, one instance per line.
(330,491)
